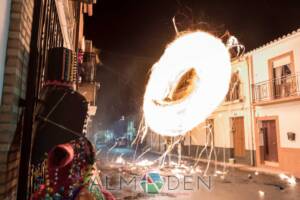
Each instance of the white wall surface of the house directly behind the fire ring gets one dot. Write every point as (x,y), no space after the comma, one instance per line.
(223,114)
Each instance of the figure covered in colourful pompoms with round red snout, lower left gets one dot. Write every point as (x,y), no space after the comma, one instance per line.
(70,174)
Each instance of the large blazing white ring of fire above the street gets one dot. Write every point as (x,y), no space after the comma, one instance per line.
(188,82)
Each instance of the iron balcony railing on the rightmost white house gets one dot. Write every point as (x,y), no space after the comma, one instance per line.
(279,88)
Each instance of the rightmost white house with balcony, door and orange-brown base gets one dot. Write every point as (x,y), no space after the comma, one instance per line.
(275,73)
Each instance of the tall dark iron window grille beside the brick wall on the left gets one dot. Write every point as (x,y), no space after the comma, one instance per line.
(46,34)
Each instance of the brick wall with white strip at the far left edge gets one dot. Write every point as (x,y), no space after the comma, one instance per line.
(15,33)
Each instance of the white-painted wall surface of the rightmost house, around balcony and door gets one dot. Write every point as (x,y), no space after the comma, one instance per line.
(288,113)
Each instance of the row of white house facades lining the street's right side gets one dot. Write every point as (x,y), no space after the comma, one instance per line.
(257,124)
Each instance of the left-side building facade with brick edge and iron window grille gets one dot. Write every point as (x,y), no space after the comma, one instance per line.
(57,23)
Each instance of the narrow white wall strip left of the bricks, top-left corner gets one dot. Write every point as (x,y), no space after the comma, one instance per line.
(4,24)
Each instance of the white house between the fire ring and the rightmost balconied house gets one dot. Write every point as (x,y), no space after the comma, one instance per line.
(230,123)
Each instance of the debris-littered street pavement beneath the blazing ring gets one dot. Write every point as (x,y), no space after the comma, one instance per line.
(234,185)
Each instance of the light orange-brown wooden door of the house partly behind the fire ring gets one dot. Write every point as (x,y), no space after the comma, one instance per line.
(238,136)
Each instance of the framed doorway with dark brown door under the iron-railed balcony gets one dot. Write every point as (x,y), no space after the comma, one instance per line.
(268,141)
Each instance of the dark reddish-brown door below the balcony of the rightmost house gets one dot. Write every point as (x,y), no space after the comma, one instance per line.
(270,140)
